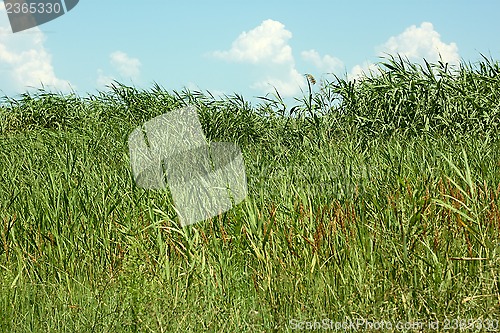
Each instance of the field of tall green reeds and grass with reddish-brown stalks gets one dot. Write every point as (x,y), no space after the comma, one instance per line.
(375,200)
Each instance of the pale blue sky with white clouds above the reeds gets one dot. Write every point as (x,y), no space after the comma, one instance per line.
(245,47)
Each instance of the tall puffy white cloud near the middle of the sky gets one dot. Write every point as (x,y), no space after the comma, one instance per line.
(267,48)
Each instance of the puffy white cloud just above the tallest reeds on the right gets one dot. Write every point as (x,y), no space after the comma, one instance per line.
(416,43)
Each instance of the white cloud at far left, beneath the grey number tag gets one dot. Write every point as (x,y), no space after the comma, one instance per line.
(25,60)
